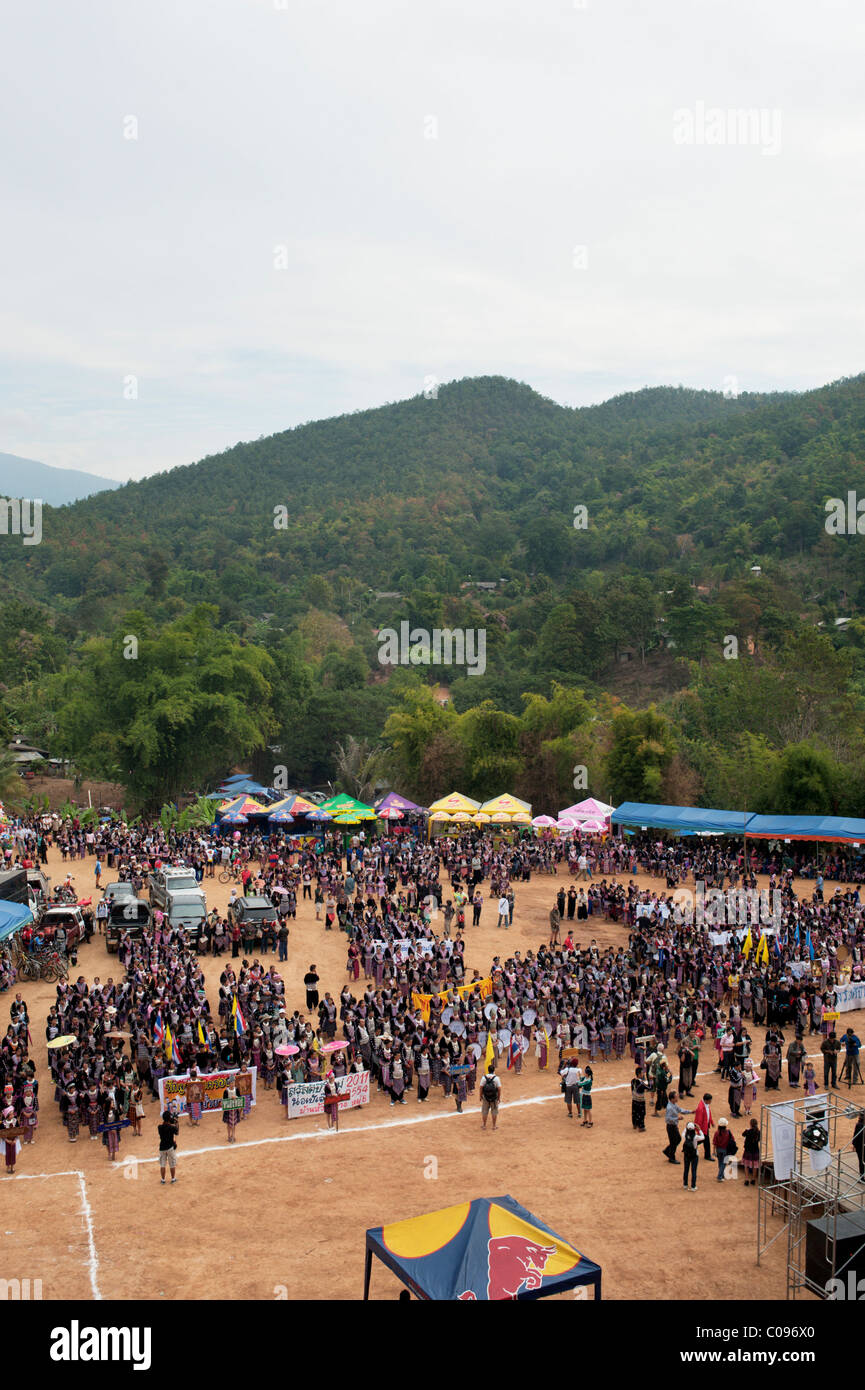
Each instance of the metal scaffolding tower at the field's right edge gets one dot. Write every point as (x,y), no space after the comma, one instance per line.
(809,1186)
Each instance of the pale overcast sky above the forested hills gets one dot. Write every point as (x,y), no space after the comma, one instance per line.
(223,219)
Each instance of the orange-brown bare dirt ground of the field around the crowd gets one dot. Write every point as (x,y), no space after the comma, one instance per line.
(255,1221)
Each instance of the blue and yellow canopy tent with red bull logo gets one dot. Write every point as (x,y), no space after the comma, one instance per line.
(486,1250)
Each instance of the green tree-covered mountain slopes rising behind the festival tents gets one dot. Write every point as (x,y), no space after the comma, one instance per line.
(702,564)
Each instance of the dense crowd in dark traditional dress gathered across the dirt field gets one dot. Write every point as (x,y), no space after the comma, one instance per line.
(411,1013)
